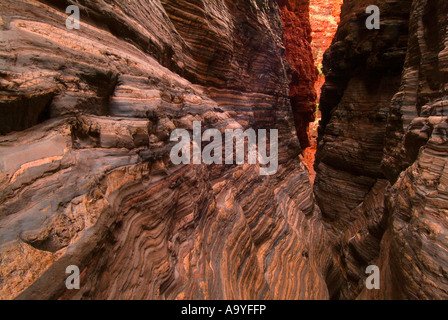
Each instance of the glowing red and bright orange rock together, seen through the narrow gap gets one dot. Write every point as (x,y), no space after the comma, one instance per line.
(304,20)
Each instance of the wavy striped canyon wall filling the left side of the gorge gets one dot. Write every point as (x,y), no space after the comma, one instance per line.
(85,173)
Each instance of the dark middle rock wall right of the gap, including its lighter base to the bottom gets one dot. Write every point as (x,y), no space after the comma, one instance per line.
(363,70)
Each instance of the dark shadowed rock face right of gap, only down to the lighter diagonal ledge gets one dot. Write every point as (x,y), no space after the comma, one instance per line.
(363,70)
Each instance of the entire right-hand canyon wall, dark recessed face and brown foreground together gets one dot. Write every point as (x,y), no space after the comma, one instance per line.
(381,161)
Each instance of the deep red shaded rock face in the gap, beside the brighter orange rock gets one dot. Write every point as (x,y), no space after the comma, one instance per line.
(303,74)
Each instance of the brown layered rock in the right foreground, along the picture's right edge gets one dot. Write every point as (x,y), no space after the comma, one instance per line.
(414,251)
